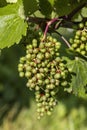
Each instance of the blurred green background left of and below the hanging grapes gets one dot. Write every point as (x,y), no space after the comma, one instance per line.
(18,107)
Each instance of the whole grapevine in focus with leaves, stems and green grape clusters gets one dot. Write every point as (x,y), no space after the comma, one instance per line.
(51,60)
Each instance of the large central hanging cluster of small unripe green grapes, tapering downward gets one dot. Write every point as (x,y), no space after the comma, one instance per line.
(45,71)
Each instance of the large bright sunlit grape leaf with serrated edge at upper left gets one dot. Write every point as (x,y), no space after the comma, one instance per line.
(12,25)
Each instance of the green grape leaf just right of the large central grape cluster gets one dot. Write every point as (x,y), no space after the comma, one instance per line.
(79,80)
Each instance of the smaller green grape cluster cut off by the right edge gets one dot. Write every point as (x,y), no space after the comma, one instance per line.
(79,43)
